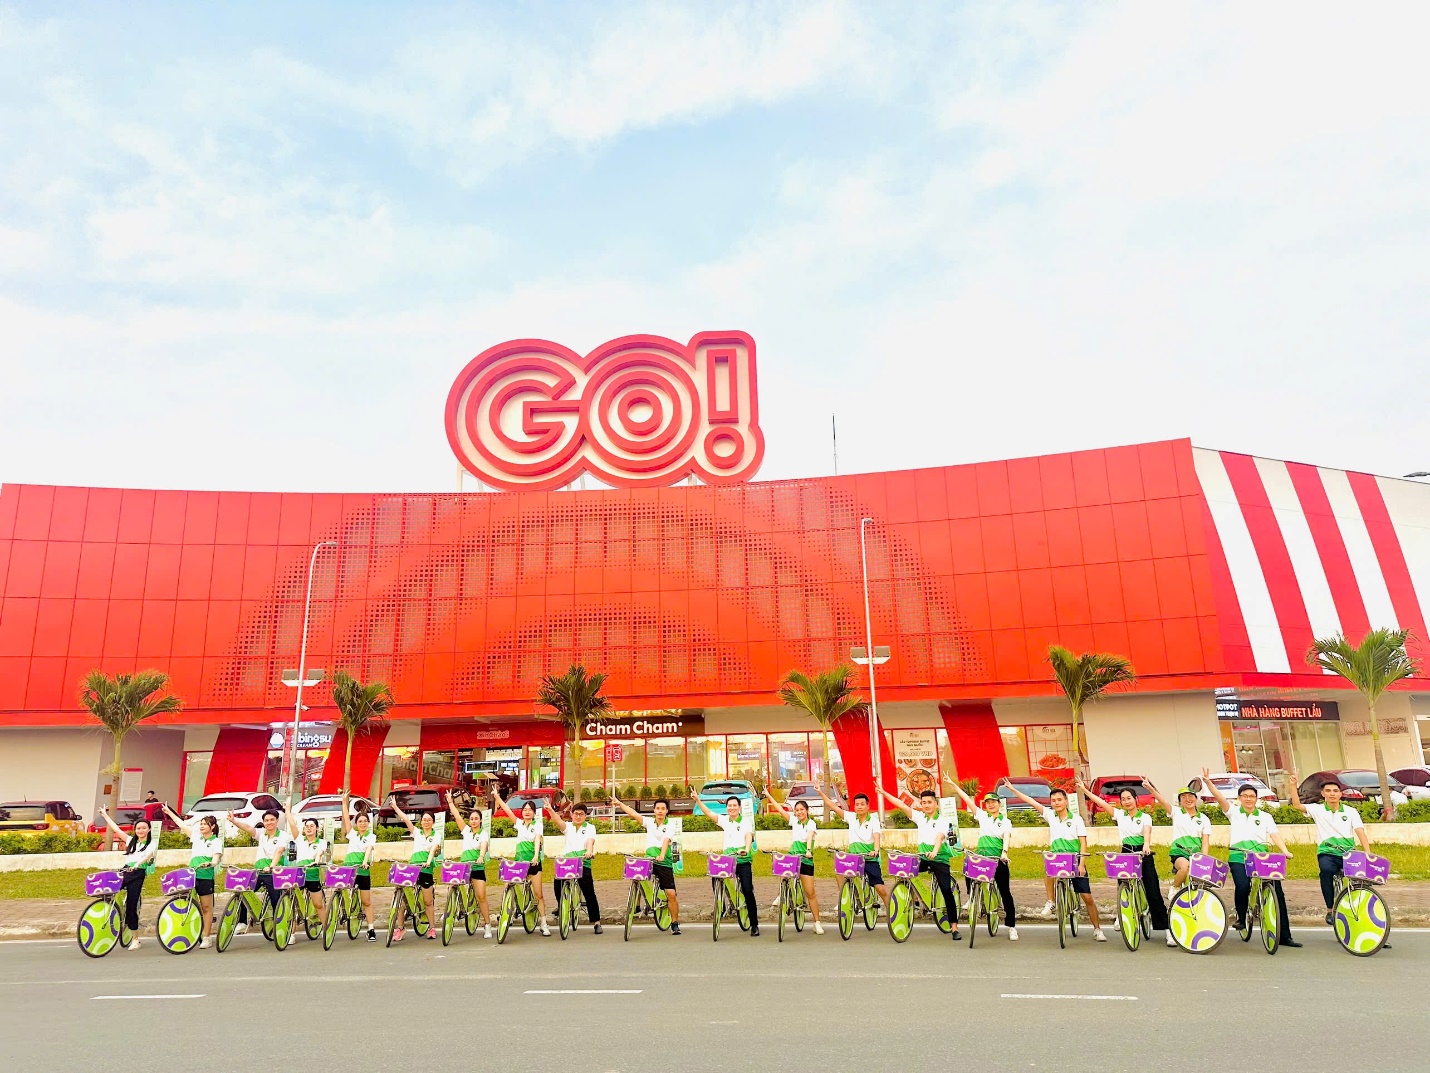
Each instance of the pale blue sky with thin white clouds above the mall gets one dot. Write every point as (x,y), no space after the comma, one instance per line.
(250,247)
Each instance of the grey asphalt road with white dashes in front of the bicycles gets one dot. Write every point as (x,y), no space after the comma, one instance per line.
(684,1004)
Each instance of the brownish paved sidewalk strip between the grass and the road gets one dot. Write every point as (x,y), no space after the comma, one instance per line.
(1409,905)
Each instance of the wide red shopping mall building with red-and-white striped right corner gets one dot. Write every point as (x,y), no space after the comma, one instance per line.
(1210,570)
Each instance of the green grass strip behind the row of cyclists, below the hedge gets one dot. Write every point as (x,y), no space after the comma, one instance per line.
(1408,863)
